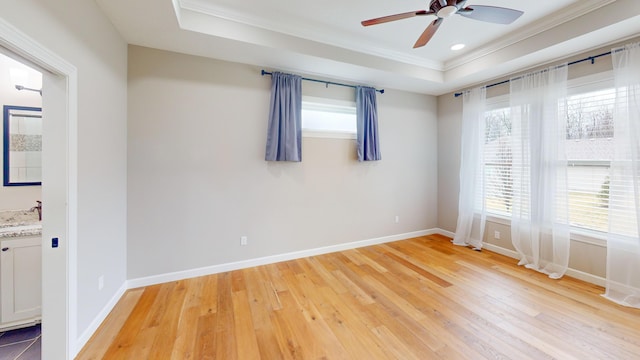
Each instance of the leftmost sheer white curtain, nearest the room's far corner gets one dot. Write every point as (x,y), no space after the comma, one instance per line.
(471,209)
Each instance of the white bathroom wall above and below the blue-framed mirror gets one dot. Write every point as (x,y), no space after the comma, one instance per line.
(17,197)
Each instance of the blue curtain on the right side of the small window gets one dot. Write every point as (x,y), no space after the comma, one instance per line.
(367,117)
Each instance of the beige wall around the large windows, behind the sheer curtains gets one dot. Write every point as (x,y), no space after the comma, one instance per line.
(586,256)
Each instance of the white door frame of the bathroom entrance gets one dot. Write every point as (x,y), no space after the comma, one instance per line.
(59,188)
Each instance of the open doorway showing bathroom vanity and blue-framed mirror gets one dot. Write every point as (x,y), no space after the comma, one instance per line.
(20,195)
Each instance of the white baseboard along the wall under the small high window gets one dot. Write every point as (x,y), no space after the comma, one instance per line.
(215,269)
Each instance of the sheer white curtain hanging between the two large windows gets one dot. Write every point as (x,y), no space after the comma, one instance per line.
(539,220)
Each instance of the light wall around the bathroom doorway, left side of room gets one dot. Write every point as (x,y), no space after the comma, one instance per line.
(77,31)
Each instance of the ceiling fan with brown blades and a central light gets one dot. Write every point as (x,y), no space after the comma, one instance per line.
(444,9)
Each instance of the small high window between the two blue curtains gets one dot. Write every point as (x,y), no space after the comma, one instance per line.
(328,118)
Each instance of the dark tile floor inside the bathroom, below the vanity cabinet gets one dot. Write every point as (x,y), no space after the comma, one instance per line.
(21,344)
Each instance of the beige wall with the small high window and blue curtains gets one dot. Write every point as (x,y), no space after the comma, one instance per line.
(198,180)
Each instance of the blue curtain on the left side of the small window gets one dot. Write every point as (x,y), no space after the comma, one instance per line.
(284,135)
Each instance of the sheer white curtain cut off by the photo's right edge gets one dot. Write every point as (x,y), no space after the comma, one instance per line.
(623,245)
